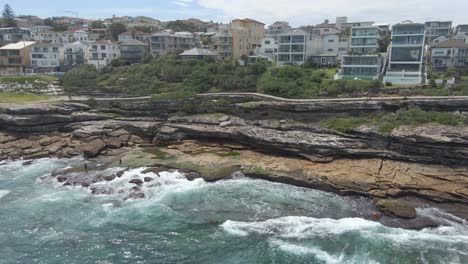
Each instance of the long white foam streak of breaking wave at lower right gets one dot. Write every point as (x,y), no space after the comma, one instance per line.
(297,227)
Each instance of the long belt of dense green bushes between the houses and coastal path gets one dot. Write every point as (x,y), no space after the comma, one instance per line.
(170,76)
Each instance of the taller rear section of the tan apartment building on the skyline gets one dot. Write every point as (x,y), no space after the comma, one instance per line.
(256,32)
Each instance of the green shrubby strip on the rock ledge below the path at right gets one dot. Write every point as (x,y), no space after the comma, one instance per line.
(386,123)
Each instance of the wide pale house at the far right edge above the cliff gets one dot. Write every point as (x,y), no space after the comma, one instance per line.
(450,53)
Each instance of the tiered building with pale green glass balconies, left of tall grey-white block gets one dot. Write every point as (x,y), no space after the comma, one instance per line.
(364,61)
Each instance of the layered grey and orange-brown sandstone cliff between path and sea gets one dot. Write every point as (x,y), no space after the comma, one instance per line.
(279,141)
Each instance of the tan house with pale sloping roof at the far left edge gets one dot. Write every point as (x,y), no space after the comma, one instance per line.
(15,57)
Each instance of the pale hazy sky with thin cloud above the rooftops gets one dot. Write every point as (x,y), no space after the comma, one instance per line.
(297,12)
